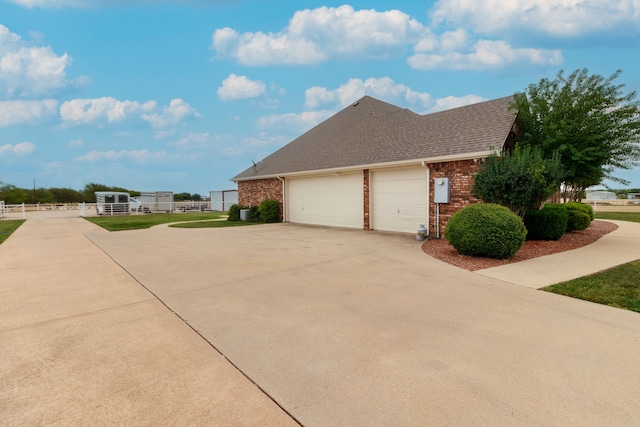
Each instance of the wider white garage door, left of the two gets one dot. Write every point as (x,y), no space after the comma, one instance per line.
(336,201)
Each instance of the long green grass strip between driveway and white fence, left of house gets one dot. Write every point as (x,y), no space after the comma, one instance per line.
(136,222)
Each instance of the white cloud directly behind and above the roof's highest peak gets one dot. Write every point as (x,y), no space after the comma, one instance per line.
(384,88)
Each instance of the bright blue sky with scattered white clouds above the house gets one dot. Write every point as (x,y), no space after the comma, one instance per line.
(182,95)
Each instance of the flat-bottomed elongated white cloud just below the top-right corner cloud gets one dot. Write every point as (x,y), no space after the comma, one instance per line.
(483,55)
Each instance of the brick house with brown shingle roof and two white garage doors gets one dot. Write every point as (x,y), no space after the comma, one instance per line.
(376,166)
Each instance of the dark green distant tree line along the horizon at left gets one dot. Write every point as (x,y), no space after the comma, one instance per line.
(13,195)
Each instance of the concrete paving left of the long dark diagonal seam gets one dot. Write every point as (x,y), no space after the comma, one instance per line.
(83,343)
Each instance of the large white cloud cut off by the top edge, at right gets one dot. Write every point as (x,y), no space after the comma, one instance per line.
(564,18)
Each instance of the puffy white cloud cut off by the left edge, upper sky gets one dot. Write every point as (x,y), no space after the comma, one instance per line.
(31,70)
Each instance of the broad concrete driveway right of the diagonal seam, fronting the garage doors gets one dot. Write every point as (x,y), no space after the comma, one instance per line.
(349,328)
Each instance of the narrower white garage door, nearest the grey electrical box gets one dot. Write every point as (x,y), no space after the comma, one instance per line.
(399,199)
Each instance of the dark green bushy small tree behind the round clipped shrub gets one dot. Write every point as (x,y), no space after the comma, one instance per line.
(521,180)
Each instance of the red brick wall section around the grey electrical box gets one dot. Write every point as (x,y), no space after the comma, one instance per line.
(460,174)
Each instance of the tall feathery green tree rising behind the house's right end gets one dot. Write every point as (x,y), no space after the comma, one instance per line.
(588,120)
